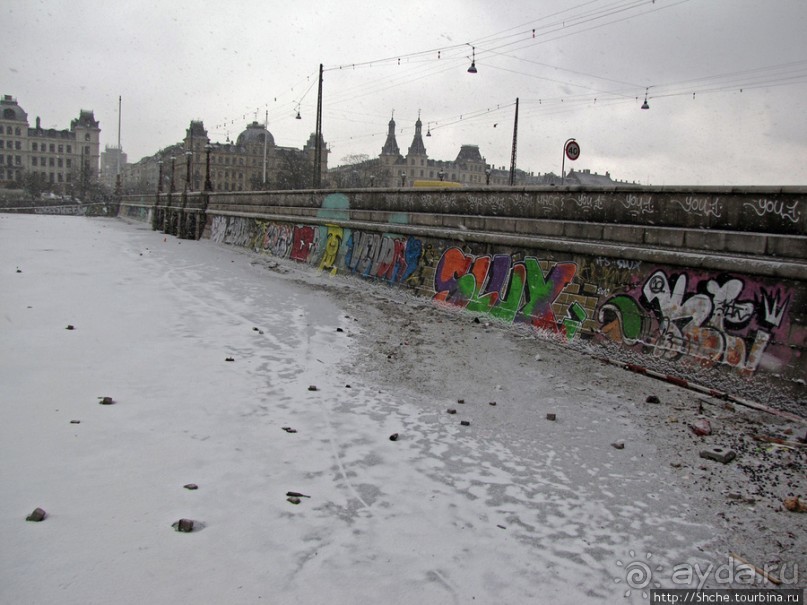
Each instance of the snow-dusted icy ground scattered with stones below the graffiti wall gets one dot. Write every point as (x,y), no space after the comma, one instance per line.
(511,508)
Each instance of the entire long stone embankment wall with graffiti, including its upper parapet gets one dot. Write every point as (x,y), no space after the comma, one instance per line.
(687,278)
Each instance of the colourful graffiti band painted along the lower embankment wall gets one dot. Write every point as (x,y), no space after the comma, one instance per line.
(715,319)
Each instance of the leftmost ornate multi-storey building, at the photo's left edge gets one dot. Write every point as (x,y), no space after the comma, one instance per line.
(63,160)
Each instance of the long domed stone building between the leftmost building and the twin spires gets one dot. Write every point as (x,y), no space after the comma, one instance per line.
(252,162)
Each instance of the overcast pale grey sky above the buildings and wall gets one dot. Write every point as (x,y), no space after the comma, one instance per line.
(726,80)
